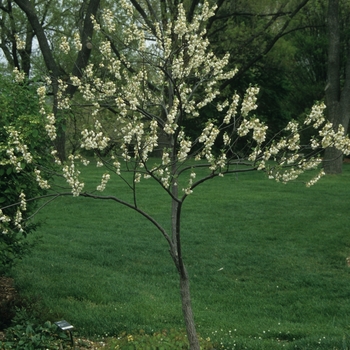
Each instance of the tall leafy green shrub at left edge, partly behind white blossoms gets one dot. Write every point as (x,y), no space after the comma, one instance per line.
(19,110)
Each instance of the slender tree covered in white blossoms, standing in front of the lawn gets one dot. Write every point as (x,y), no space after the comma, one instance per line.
(140,102)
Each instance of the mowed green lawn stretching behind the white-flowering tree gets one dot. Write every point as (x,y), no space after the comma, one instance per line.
(267,263)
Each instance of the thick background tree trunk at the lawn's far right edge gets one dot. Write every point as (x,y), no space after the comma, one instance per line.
(337,98)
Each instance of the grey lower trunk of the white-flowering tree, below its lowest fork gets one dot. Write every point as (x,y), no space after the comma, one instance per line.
(187,310)
